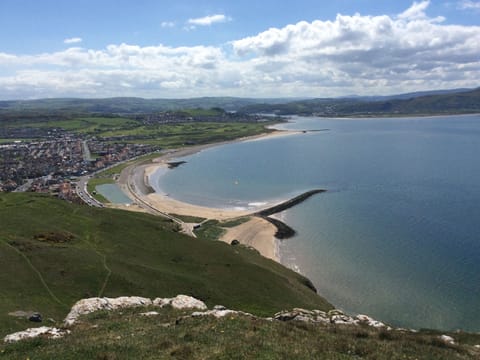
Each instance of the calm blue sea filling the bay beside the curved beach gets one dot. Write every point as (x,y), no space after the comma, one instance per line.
(397,235)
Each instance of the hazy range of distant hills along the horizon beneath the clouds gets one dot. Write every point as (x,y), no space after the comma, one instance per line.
(426,102)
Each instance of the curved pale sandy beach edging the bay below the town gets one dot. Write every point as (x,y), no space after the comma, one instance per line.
(257,232)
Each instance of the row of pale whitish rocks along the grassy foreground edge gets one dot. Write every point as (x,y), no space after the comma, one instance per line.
(182,302)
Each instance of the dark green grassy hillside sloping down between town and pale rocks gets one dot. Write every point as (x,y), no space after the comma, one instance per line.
(112,253)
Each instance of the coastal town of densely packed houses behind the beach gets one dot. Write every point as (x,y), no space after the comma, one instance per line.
(53,160)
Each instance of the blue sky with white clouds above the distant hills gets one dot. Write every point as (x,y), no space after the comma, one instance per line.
(248,48)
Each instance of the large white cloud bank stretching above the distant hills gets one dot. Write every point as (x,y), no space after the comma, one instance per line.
(349,54)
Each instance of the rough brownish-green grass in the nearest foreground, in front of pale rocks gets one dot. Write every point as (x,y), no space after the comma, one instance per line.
(172,334)
